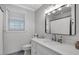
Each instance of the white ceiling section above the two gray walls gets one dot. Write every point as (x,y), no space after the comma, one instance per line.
(32,7)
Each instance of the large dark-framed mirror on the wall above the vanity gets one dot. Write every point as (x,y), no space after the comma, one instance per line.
(61,20)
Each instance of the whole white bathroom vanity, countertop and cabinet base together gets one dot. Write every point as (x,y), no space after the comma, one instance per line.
(48,47)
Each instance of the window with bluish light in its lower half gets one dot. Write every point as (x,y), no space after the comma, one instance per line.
(16,22)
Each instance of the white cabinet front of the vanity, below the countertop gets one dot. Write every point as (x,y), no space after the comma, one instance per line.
(38,49)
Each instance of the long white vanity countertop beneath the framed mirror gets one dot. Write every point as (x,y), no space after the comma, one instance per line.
(64,49)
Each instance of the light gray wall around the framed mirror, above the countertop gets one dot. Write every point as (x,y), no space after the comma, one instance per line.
(40,26)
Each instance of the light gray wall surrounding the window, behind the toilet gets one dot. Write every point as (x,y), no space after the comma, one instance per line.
(13,41)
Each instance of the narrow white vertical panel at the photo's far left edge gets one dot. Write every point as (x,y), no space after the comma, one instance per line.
(1,34)
